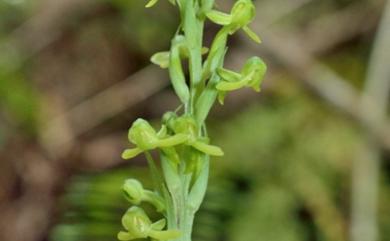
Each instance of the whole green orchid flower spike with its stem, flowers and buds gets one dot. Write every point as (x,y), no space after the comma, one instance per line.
(182,142)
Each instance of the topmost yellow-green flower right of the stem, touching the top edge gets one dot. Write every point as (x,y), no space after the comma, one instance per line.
(242,13)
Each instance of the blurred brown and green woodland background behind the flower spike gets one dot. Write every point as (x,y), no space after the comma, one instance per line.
(307,159)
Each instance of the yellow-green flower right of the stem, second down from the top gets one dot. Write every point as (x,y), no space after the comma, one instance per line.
(251,75)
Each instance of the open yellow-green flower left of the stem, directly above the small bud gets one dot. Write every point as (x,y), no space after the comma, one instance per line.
(145,138)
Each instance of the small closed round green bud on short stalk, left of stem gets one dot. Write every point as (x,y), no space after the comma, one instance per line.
(135,193)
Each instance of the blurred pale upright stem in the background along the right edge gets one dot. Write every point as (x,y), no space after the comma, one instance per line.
(366,168)
